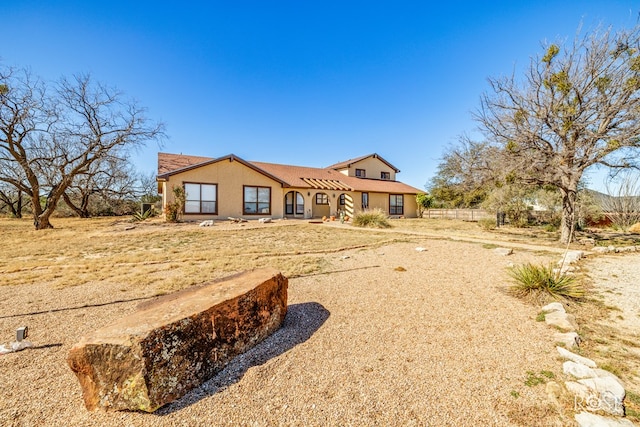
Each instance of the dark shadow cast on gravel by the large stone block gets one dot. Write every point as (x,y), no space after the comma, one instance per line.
(301,322)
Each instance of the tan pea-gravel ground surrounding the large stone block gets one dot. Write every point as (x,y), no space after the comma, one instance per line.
(439,343)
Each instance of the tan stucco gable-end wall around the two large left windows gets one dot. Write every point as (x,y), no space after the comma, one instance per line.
(230,176)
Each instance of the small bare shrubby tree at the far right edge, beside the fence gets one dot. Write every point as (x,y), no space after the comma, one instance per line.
(621,204)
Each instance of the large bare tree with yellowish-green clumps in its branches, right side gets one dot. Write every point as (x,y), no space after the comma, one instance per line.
(577,106)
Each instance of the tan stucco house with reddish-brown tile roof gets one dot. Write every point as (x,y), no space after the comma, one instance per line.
(222,187)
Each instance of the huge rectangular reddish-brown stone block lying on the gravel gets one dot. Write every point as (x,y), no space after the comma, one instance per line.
(169,346)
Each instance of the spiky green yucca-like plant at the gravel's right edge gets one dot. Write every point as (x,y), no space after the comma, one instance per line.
(531,280)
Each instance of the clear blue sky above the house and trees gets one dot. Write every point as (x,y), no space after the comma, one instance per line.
(299,82)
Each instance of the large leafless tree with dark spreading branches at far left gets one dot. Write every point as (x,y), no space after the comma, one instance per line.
(51,136)
